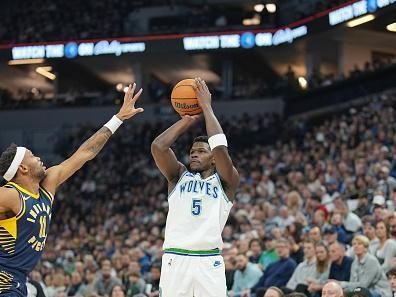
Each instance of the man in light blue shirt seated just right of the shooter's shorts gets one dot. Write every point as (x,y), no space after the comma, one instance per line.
(246,275)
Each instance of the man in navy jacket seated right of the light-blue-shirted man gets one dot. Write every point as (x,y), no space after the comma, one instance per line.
(278,273)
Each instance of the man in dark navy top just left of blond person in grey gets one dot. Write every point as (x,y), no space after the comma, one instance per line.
(340,268)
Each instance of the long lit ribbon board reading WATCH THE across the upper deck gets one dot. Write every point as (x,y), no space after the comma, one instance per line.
(249,39)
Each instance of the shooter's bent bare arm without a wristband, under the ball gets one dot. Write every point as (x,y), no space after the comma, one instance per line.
(161,150)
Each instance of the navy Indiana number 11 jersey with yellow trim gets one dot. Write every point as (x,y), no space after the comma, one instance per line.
(22,238)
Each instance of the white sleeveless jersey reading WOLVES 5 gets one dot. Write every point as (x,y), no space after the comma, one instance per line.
(198,211)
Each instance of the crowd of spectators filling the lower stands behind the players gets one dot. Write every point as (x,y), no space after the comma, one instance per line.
(316,202)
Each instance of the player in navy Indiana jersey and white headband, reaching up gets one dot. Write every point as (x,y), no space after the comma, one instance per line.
(26,200)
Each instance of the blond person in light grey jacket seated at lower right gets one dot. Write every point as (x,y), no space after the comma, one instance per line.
(366,271)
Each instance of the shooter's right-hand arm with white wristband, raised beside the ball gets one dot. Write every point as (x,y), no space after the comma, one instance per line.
(217,140)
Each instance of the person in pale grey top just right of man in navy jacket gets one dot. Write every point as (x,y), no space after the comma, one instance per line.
(305,270)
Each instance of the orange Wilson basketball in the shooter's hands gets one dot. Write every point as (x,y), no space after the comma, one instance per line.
(184,99)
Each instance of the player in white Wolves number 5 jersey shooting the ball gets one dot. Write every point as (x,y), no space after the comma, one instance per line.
(200,200)
